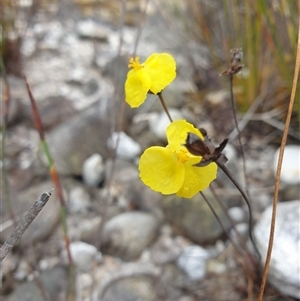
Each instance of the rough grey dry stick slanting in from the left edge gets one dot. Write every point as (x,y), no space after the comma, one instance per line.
(24,223)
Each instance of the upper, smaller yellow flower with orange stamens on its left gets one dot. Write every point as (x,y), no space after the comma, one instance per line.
(158,71)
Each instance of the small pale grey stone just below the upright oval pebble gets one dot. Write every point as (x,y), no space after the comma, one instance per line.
(79,200)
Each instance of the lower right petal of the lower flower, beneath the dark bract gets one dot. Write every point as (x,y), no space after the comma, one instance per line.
(197,179)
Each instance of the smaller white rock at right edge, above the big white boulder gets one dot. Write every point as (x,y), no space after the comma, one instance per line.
(290,172)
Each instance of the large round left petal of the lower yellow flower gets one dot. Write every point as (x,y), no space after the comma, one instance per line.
(160,170)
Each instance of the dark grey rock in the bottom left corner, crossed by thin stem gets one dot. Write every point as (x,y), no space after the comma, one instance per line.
(54,283)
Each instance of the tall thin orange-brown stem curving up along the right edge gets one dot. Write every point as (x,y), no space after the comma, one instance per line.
(278,171)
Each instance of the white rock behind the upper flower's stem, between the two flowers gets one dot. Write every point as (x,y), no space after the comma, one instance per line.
(159,123)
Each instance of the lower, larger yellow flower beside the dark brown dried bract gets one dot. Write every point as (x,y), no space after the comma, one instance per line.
(171,169)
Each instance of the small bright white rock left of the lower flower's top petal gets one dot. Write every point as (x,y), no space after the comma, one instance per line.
(127,148)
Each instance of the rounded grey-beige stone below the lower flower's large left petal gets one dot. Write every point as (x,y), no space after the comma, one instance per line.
(128,234)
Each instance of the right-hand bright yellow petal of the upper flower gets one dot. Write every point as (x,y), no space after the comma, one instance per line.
(161,68)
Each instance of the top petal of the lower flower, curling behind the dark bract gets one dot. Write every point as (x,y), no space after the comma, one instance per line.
(177,133)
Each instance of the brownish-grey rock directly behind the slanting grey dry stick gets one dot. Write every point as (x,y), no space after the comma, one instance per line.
(44,224)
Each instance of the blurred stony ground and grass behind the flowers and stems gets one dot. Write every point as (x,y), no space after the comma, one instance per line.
(128,242)
